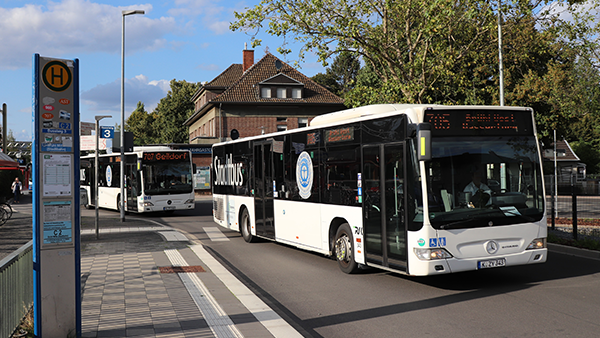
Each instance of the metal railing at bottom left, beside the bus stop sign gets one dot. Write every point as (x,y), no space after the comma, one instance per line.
(16,288)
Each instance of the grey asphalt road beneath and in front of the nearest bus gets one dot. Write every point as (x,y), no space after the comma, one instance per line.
(557,299)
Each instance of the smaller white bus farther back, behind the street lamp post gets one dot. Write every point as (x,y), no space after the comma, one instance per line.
(156,179)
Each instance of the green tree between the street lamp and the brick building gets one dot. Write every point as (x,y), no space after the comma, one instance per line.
(172,111)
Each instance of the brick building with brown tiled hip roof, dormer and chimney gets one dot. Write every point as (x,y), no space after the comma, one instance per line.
(253,99)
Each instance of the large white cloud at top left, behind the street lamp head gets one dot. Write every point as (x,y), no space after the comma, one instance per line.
(75,27)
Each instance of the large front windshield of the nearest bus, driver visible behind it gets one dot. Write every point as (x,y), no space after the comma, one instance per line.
(484,181)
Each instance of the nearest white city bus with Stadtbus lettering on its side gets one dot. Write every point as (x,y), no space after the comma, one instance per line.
(391,186)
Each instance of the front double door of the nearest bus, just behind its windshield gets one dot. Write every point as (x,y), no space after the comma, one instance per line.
(384,203)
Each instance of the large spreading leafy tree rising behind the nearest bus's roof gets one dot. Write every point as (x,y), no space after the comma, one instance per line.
(409,43)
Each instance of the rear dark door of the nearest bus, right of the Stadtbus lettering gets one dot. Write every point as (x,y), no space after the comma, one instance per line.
(263,184)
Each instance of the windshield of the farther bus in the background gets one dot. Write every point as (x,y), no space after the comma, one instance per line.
(167,177)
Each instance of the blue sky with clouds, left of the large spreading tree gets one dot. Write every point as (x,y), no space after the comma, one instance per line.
(182,39)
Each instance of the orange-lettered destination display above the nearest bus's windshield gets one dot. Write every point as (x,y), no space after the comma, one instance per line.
(469,122)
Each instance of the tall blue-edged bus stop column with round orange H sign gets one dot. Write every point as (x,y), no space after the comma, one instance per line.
(55,198)
